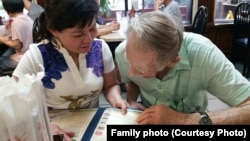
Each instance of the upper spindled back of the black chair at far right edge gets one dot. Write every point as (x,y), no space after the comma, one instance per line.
(242,21)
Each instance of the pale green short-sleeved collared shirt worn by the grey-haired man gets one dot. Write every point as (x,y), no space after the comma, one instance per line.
(203,68)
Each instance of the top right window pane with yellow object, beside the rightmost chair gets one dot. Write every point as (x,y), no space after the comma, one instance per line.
(224,10)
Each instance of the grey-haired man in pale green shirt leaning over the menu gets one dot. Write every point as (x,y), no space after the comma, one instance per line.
(171,70)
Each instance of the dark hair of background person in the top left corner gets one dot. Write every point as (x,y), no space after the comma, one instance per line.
(13,6)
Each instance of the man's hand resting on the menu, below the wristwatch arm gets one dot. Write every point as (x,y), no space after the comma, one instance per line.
(161,114)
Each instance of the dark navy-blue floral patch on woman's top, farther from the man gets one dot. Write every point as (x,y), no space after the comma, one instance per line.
(54,64)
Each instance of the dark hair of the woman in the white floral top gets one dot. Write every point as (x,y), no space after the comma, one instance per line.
(62,14)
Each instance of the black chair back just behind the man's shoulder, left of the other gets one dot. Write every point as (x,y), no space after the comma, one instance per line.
(200,20)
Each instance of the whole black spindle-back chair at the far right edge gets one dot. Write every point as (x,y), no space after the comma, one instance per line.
(241,37)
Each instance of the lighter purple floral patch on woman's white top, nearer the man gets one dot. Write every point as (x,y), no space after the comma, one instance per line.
(94,58)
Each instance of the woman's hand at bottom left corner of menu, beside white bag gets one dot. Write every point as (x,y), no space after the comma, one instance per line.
(56,130)
